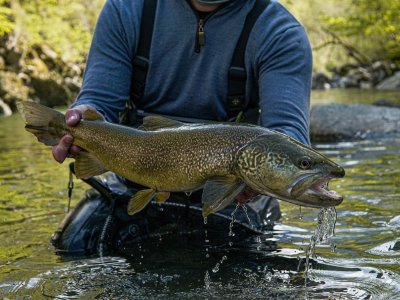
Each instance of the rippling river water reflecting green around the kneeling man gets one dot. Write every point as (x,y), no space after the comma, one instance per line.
(361,261)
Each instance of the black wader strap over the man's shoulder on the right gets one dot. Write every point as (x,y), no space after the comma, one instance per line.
(236,102)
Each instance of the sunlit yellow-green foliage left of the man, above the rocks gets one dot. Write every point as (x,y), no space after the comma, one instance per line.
(64,26)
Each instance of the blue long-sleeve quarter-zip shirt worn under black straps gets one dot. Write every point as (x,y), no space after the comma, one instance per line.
(182,82)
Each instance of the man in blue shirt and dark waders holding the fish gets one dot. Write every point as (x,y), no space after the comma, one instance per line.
(179,59)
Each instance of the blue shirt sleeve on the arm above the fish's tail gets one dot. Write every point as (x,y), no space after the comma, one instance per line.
(107,78)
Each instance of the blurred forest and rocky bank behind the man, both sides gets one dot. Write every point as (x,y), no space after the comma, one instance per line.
(44,43)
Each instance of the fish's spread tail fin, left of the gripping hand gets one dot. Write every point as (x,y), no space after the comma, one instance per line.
(40,121)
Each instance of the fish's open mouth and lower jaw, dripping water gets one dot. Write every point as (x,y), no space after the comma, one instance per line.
(313,190)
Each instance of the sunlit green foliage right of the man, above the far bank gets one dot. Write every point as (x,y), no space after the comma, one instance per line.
(350,31)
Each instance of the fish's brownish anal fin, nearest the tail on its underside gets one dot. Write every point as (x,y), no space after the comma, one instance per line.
(87,165)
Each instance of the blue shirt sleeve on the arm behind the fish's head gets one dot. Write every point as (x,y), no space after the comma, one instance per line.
(285,67)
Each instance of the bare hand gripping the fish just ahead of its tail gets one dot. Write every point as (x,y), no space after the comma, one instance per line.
(65,148)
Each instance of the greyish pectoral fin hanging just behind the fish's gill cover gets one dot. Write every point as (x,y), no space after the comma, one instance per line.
(219,192)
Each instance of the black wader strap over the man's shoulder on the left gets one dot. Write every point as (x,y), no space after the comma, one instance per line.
(140,63)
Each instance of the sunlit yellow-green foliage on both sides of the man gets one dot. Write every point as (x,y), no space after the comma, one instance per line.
(335,28)
